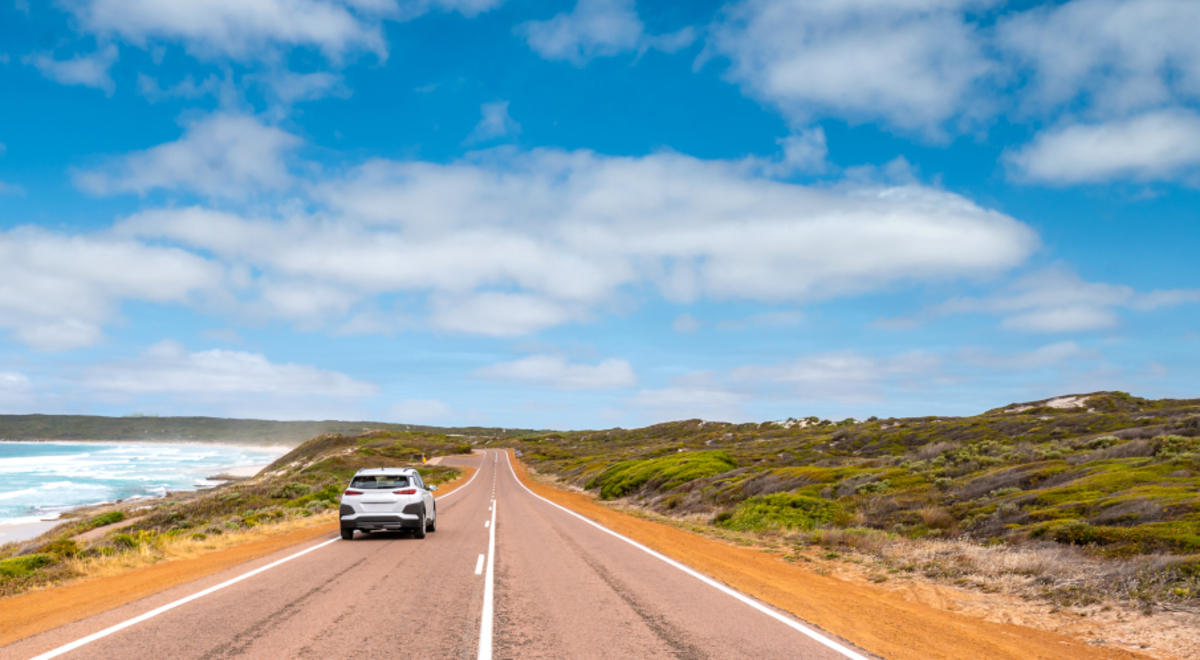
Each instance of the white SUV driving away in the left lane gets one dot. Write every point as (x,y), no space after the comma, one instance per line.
(388,499)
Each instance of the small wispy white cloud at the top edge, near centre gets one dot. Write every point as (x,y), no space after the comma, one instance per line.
(598,29)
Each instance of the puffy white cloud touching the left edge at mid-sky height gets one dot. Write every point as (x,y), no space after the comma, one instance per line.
(59,290)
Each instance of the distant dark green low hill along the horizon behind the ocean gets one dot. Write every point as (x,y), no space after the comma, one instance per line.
(206,430)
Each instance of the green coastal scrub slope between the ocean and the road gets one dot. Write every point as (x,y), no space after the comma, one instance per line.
(304,483)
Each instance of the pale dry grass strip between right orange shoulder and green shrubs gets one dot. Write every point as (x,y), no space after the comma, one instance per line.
(1126,603)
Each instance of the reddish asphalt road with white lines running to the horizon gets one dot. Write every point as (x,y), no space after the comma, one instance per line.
(561,589)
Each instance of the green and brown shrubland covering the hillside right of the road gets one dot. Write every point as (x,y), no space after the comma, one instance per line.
(1119,476)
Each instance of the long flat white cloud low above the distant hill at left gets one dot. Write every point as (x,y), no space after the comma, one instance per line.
(169,369)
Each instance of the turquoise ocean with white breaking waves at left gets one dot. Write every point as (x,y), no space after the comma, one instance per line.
(43,481)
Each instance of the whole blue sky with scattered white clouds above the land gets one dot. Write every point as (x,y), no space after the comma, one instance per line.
(596,213)
